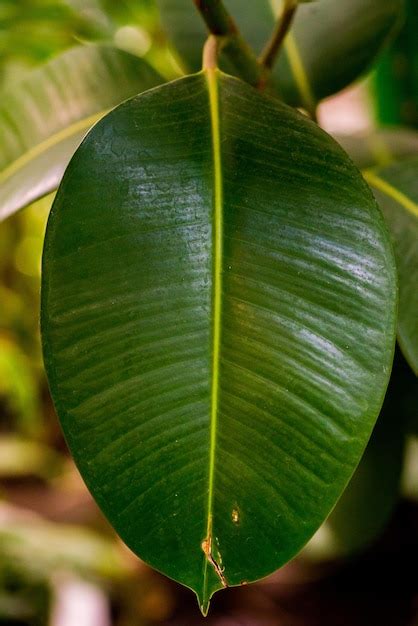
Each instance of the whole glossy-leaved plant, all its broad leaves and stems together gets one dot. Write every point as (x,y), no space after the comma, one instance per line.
(219,287)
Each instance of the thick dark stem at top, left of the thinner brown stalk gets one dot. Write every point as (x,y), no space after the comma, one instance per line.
(221,24)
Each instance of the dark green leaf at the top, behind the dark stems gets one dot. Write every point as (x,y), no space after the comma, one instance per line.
(331,43)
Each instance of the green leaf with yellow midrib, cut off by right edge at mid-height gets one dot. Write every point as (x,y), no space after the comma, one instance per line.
(396,188)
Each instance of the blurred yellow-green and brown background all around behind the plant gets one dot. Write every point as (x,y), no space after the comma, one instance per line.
(60,563)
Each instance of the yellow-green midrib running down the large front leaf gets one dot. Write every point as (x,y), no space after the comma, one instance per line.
(217,227)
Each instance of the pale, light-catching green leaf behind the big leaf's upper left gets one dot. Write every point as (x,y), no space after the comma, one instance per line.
(44,117)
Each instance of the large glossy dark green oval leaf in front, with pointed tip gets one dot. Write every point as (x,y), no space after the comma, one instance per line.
(218,320)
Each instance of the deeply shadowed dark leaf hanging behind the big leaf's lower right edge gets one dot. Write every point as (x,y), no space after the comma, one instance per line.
(366,506)
